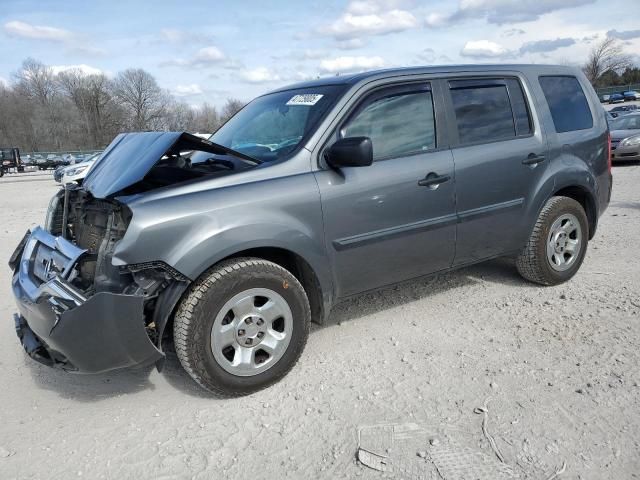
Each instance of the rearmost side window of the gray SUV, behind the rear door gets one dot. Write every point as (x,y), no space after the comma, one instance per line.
(569,107)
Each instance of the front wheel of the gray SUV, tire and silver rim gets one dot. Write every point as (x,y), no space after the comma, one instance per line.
(242,326)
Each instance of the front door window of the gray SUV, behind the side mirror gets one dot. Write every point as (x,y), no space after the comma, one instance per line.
(398,121)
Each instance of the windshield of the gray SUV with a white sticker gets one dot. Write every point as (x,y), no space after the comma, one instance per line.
(273,126)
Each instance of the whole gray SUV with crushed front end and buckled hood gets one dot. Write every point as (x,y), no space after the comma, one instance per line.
(310,194)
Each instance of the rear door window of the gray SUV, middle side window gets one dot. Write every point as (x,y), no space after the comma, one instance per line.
(489,110)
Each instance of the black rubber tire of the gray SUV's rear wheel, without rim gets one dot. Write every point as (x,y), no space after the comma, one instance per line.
(532,263)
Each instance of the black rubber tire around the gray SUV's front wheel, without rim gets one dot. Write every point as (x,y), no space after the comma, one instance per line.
(195,316)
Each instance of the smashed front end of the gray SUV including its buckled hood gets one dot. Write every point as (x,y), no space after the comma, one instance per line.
(79,311)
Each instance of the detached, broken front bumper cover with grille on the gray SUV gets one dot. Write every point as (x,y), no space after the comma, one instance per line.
(58,326)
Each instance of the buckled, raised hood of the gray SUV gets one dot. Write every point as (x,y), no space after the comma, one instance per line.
(131,156)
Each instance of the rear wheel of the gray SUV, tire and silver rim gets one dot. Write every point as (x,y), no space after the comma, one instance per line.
(557,245)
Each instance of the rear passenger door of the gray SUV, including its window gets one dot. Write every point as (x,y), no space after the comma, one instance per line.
(500,153)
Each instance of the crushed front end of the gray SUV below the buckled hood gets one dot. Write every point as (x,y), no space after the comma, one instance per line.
(77,310)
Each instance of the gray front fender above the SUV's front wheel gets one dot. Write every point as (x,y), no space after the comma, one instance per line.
(194,231)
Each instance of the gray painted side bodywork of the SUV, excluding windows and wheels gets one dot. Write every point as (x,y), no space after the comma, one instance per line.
(364,227)
